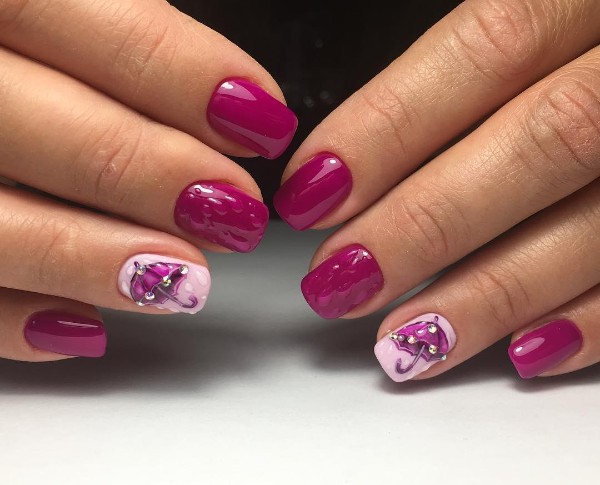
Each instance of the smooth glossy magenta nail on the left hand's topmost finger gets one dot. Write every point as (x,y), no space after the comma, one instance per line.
(248,115)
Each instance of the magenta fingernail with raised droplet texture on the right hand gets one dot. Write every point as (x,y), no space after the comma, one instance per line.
(342,282)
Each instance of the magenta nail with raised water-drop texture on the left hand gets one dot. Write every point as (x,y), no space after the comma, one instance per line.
(222,214)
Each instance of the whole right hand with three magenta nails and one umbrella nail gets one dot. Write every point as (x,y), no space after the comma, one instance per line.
(518,198)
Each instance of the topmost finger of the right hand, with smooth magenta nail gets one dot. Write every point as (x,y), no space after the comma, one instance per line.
(481,55)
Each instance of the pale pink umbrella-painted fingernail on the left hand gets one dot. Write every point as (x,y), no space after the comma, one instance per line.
(166,283)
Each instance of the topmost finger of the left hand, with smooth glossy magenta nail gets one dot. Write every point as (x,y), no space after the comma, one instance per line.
(160,62)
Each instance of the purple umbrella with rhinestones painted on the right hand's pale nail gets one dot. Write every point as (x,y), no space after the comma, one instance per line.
(423,340)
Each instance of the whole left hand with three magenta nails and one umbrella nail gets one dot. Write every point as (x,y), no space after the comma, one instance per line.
(121,106)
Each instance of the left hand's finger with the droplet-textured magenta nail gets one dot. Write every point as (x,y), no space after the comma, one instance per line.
(120,162)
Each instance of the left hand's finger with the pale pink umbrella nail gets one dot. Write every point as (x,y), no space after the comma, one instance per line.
(53,249)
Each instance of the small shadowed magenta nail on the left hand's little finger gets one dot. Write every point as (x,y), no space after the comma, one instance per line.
(66,334)
